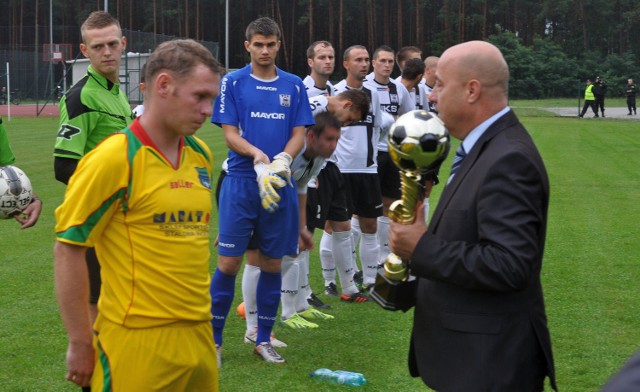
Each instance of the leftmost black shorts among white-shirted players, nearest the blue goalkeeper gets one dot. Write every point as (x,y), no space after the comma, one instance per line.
(329,200)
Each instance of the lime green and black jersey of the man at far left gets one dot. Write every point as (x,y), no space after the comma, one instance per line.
(91,110)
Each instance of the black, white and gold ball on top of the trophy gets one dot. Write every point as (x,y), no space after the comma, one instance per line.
(418,141)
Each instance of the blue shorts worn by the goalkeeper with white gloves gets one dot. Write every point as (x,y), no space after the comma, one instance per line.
(241,216)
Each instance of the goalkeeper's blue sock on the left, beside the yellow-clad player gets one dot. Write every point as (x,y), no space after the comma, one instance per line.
(222,289)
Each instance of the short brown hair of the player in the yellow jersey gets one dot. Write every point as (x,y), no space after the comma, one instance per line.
(179,57)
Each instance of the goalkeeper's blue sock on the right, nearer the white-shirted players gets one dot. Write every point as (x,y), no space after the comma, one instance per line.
(268,298)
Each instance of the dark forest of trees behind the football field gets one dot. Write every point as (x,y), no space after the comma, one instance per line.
(551,45)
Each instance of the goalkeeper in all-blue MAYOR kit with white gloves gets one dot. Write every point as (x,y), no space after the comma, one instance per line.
(263,112)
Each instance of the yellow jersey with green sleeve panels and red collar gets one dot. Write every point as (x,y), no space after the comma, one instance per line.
(149,223)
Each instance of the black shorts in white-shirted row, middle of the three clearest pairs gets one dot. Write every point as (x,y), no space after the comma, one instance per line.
(364,197)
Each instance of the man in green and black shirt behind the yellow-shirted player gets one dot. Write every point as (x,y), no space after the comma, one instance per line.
(93,108)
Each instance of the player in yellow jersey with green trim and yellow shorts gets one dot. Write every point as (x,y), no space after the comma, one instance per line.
(143,199)
